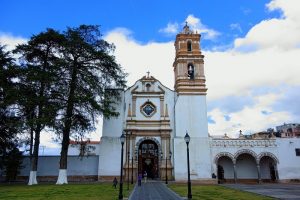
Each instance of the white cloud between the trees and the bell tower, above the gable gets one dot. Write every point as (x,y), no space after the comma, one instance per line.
(138,58)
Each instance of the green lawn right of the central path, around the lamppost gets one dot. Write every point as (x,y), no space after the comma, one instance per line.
(215,192)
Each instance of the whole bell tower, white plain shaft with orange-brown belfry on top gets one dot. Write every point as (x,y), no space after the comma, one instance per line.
(190,108)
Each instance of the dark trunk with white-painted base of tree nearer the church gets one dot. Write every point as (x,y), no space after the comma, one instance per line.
(62,176)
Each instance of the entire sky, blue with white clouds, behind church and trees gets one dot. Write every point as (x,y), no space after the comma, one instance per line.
(251,50)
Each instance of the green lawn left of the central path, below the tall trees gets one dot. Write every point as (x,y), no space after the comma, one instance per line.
(101,191)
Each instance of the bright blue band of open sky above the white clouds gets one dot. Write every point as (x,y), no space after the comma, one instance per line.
(143,18)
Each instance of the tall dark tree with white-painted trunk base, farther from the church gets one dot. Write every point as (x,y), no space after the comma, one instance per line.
(39,75)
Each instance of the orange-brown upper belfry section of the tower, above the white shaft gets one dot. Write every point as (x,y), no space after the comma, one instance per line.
(189,64)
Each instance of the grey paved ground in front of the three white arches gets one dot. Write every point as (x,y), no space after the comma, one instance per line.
(278,191)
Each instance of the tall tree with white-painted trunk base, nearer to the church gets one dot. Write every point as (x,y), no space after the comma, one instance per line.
(89,68)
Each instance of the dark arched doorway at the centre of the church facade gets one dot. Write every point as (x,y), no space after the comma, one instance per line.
(148,159)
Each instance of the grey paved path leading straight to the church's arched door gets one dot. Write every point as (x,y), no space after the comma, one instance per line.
(153,190)
